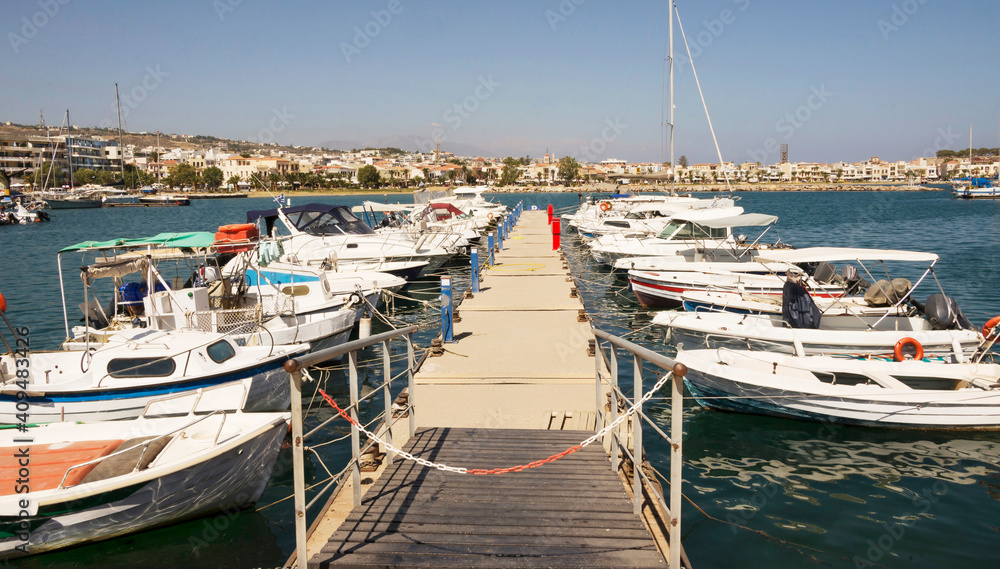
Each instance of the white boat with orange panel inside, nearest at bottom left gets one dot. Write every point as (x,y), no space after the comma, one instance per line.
(99,480)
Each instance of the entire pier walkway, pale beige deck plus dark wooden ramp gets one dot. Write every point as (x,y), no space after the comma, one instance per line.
(516,386)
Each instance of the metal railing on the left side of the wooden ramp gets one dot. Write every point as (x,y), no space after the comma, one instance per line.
(295,366)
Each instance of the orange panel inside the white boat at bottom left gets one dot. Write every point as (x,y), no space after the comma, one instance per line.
(48,463)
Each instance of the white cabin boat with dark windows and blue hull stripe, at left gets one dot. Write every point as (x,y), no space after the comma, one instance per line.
(116,379)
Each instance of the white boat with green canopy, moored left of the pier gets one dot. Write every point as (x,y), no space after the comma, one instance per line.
(266,315)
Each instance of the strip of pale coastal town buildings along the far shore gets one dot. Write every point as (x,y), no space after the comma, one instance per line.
(20,152)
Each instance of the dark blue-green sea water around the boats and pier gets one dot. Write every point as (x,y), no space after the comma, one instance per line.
(769,492)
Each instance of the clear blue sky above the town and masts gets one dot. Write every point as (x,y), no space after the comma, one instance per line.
(841,80)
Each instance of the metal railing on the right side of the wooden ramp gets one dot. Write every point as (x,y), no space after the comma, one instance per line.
(676,371)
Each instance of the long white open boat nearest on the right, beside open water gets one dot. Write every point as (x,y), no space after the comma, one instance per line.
(912,394)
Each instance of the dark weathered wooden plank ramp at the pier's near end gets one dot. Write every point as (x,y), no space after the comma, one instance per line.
(571,513)
